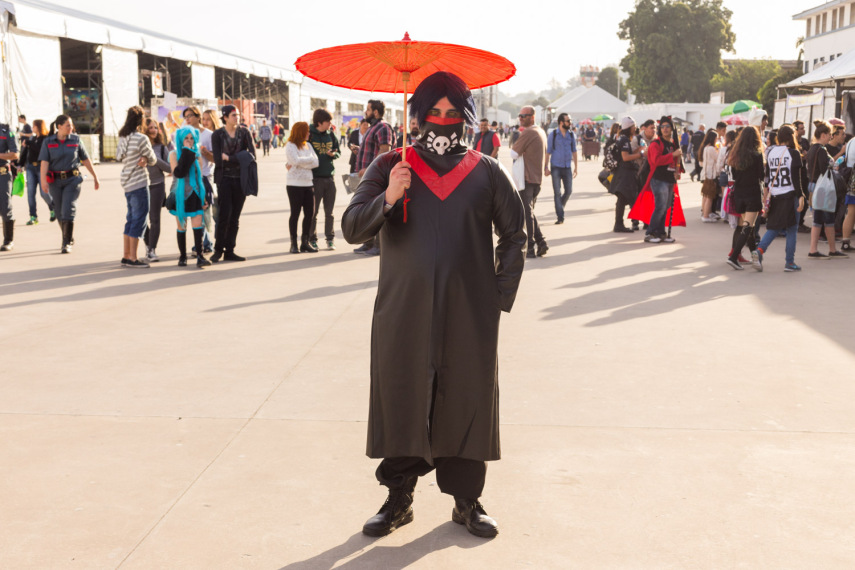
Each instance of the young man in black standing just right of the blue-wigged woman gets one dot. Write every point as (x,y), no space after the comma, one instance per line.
(227,143)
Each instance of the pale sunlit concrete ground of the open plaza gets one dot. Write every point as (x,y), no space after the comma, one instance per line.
(659,409)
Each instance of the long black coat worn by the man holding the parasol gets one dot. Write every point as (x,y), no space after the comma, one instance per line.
(434,375)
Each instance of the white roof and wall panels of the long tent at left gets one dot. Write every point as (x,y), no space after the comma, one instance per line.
(30,32)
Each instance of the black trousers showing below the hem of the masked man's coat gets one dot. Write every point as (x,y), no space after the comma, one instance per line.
(454,475)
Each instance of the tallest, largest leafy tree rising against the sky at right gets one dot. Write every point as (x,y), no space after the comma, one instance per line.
(675,48)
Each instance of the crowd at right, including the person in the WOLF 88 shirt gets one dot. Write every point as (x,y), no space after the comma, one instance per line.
(750,177)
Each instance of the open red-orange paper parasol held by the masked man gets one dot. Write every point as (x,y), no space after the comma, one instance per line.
(399,67)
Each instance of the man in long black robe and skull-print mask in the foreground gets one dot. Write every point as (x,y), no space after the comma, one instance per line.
(434,385)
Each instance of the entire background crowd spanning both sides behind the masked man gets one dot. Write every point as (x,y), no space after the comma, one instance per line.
(749,176)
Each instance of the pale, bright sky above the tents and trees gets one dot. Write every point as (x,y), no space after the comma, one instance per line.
(543,39)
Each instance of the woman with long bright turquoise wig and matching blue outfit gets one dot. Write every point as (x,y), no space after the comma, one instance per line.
(190,199)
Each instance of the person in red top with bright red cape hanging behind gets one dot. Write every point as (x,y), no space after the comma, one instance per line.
(660,193)
